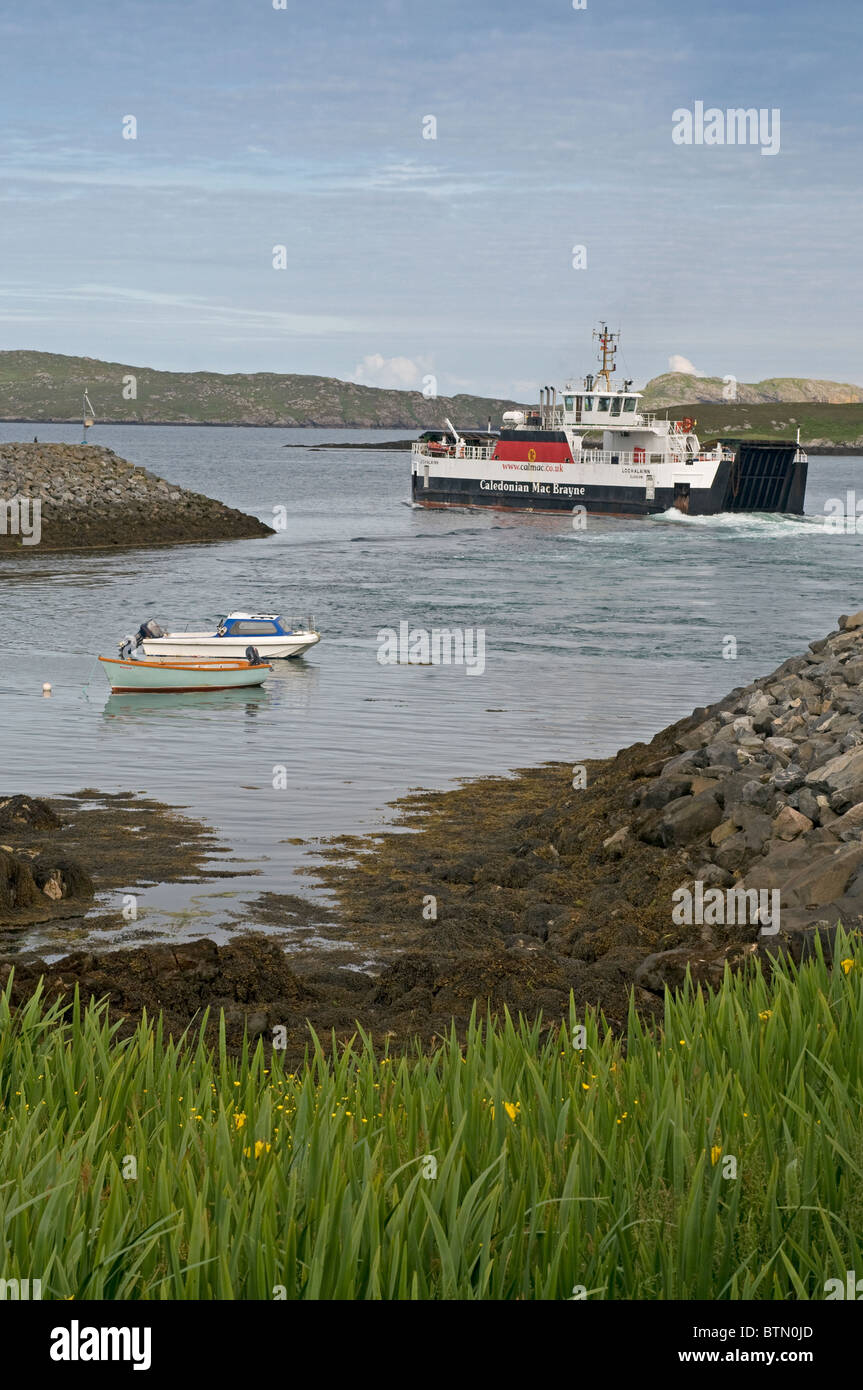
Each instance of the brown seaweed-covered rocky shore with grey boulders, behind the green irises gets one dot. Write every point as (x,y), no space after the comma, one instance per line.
(513,892)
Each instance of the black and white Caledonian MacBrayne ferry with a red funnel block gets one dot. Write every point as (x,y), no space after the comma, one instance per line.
(594,448)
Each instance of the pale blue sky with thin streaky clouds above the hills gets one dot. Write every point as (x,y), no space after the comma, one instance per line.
(452,258)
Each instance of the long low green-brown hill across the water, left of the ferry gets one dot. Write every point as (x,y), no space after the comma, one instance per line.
(41,386)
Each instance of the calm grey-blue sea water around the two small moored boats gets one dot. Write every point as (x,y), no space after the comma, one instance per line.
(594,639)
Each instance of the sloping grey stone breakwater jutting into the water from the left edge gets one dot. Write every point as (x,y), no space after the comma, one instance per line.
(90,498)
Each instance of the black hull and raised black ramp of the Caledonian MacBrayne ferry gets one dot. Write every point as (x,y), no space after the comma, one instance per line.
(762,479)
